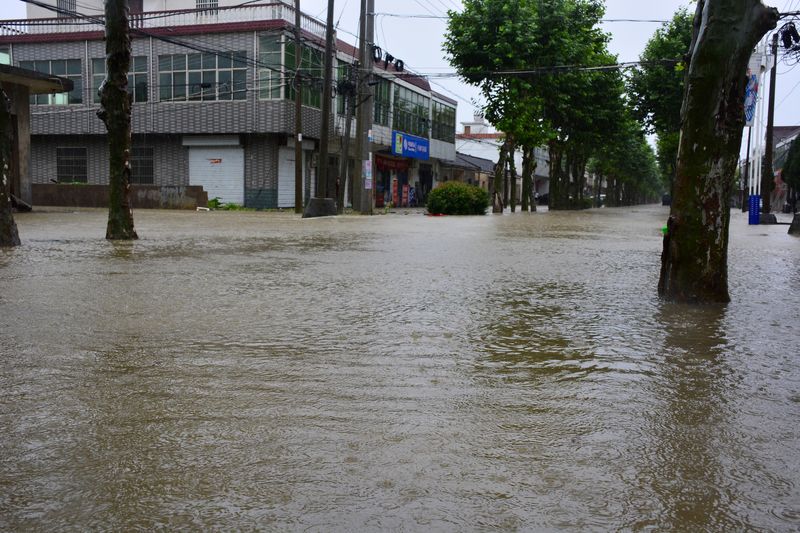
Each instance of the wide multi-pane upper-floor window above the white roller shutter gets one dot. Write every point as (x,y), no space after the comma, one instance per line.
(202,77)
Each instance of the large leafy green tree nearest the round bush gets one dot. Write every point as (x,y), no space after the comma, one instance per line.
(516,51)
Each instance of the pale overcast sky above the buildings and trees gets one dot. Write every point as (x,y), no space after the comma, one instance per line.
(418,41)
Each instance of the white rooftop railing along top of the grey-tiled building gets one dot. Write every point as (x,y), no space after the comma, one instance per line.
(166,19)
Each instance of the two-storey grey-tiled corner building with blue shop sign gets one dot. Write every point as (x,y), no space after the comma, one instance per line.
(213,88)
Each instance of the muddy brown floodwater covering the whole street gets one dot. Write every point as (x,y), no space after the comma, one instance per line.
(242,370)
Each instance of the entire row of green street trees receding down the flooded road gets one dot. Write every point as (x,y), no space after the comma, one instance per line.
(545,71)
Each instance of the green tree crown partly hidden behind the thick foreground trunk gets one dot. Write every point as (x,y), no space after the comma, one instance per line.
(657,86)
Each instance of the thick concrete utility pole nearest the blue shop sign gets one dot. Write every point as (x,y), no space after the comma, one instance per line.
(362,188)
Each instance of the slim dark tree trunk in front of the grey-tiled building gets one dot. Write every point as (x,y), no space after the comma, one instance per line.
(115,112)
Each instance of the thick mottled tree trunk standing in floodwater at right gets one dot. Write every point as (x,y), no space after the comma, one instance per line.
(694,261)
